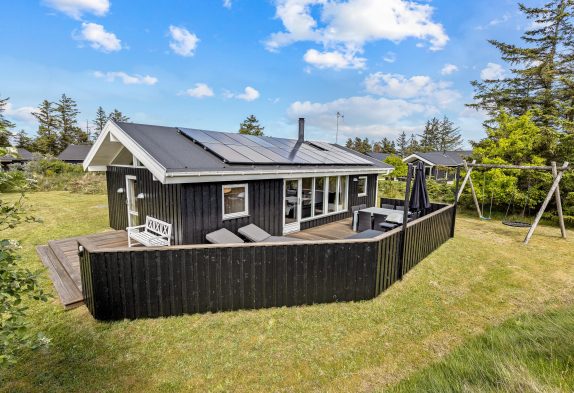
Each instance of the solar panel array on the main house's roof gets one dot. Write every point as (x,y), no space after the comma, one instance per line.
(249,149)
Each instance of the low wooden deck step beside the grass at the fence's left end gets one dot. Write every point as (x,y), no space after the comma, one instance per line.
(69,293)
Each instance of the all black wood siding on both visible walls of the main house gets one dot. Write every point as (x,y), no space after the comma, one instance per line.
(195,209)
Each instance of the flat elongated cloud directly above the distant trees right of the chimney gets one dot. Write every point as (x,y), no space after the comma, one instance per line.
(419,88)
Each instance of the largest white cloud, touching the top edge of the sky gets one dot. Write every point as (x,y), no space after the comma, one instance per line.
(349,25)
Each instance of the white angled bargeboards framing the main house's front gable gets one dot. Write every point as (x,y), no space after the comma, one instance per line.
(117,134)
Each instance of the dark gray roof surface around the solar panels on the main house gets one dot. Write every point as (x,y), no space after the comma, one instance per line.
(178,153)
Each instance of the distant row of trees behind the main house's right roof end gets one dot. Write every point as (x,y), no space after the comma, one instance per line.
(437,135)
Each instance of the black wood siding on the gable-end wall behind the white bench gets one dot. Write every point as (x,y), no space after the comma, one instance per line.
(161,201)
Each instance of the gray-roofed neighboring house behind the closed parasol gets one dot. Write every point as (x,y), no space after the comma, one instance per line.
(439,164)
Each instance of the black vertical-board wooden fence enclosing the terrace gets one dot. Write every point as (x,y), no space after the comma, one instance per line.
(141,283)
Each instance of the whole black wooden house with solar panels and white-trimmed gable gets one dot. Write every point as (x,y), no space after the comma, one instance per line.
(200,181)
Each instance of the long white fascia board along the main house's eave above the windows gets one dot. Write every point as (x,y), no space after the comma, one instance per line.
(237,176)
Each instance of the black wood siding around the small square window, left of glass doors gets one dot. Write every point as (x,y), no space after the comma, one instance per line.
(204,210)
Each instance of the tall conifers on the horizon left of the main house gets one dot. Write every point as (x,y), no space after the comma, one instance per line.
(58,126)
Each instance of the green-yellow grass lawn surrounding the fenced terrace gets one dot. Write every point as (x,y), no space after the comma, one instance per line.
(435,328)
